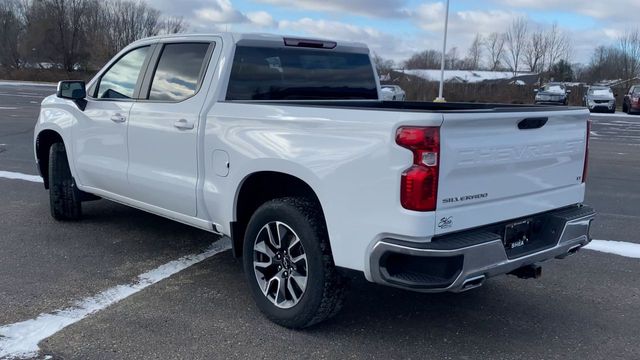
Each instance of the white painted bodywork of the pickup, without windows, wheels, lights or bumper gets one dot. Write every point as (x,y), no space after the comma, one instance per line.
(347,156)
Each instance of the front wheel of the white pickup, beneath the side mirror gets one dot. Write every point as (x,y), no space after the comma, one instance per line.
(64,196)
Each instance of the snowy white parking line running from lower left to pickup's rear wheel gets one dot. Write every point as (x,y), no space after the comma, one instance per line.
(20,340)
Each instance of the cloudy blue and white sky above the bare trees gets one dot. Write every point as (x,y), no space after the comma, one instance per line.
(397,28)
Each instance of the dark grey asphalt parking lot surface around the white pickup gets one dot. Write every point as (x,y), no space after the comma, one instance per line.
(587,306)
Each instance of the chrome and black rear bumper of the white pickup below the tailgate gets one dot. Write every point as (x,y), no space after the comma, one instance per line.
(464,260)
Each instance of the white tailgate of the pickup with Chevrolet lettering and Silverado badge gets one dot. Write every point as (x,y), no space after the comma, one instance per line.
(497,166)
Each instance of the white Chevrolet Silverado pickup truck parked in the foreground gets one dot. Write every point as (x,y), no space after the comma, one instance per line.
(283,145)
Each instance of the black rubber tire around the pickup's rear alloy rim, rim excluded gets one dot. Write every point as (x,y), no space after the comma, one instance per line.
(325,287)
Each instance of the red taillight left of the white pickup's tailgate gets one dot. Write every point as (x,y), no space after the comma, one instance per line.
(419,187)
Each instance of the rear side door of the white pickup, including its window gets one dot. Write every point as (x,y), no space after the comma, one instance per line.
(163,127)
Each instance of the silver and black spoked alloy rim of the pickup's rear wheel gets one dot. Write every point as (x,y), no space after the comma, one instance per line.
(280,264)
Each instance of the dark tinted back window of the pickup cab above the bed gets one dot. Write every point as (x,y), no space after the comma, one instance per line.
(283,73)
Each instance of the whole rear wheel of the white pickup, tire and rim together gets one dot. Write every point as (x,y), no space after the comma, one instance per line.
(288,263)
